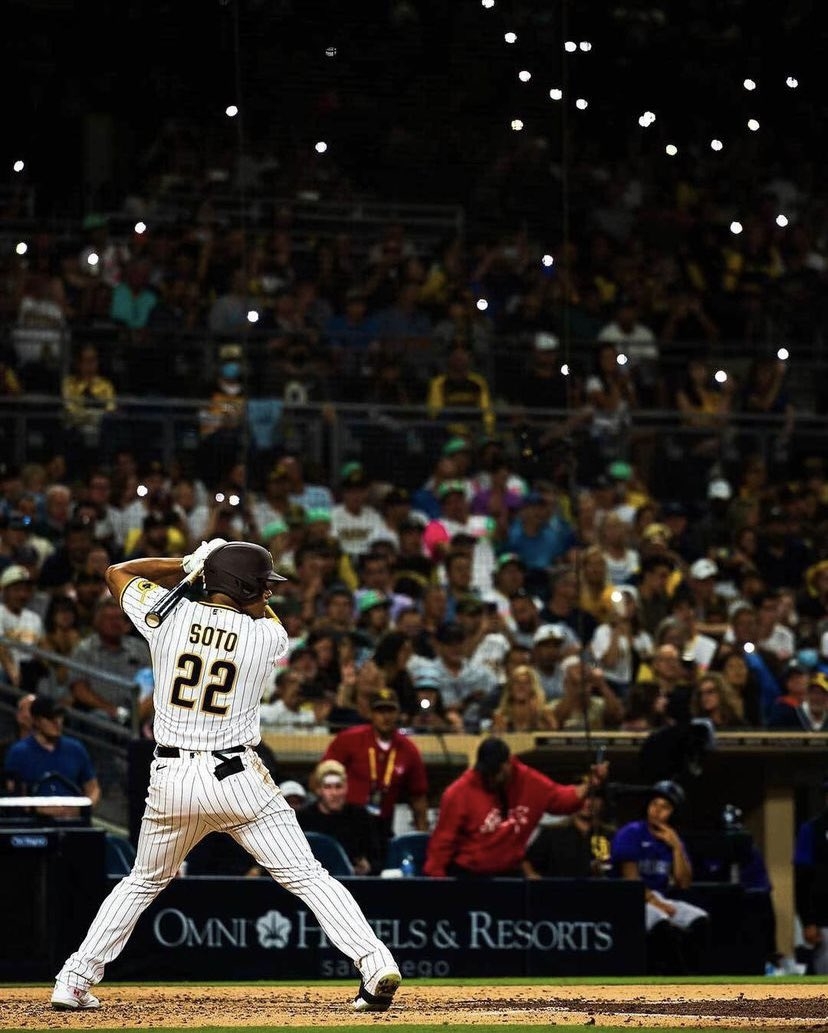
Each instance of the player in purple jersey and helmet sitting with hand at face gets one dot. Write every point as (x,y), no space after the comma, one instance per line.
(652,852)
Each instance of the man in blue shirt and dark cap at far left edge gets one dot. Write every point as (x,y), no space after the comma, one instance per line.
(48,753)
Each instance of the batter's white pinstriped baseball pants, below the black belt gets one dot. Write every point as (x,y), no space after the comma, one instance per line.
(185,802)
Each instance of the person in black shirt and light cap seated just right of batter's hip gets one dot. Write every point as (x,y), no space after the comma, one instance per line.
(352,825)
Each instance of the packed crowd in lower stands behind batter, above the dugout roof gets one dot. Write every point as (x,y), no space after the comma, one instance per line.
(480,599)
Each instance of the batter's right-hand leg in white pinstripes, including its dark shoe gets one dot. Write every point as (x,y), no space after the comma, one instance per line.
(274,838)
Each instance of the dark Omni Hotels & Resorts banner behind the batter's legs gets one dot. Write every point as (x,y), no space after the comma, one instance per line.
(251,929)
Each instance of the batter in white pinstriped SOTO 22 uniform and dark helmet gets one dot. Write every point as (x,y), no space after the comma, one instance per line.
(212,663)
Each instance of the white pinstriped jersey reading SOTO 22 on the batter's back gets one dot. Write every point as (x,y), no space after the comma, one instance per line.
(212,666)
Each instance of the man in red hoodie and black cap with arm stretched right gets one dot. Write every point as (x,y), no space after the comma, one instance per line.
(488,816)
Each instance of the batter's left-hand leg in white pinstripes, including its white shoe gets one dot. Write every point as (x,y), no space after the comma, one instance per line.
(170,830)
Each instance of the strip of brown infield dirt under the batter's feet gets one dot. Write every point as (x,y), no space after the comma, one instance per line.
(765,1006)
